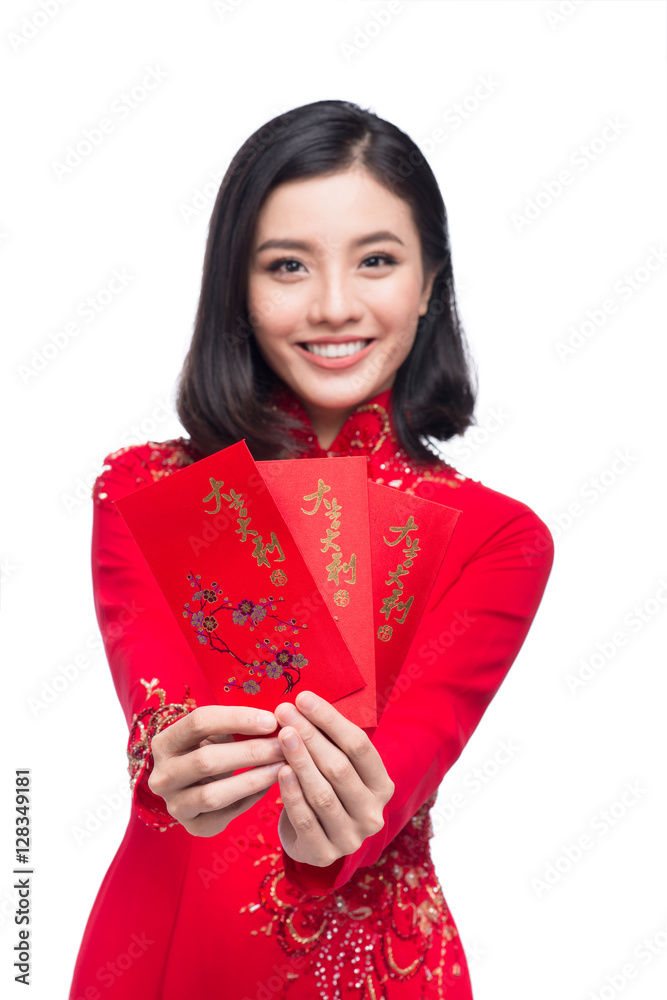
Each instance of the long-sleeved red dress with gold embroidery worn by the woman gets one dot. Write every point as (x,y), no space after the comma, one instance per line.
(232,916)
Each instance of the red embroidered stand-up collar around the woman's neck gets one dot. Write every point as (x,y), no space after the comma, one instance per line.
(363,433)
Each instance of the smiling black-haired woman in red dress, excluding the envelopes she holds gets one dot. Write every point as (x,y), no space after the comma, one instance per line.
(327,326)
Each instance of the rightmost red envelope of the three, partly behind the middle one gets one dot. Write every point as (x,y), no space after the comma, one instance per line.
(409,538)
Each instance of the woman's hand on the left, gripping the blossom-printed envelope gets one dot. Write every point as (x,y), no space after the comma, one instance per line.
(194,760)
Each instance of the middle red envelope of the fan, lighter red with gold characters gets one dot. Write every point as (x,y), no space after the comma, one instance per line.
(324,502)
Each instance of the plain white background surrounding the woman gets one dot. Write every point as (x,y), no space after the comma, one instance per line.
(550,426)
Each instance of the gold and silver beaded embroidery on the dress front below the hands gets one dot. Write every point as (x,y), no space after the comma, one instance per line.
(389,922)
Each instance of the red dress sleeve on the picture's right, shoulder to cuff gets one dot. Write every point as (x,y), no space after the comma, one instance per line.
(479,612)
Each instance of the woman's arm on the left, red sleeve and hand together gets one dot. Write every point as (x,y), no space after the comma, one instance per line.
(164,694)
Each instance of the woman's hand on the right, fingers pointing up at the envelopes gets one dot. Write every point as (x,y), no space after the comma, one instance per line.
(334,787)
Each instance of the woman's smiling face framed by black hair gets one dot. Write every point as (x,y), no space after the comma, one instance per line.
(336,287)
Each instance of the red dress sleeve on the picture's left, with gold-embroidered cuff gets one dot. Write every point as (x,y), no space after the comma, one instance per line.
(156,677)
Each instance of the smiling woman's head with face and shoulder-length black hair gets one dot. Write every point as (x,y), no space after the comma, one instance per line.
(329,225)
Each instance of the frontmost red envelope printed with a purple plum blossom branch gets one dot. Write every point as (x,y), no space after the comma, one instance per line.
(238,583)
